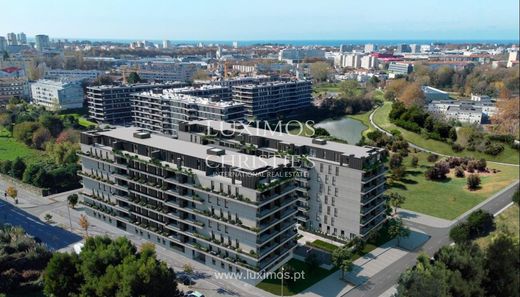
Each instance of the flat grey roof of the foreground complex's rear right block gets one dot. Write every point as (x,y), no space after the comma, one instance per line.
(346,149)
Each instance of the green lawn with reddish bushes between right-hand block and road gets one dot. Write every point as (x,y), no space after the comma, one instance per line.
(449,198)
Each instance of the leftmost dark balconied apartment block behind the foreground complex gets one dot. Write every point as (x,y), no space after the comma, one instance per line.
(111,104)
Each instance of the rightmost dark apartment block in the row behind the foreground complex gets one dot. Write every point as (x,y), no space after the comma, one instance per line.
(268,101)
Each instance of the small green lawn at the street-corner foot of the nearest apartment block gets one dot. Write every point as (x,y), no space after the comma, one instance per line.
(311,275)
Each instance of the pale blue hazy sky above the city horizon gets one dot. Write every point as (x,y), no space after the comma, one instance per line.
(263,19)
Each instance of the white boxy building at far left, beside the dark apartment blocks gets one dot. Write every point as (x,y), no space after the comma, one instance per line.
(57,95)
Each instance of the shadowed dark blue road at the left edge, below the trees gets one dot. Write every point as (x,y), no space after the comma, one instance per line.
(55,237)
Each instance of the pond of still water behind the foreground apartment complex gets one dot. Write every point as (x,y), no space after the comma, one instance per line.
(345,128)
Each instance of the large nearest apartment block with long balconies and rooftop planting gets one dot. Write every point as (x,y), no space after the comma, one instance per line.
(225,209)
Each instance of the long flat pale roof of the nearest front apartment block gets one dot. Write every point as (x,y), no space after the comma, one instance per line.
(230,158)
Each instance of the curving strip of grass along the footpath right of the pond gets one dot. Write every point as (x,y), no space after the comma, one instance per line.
(509,155)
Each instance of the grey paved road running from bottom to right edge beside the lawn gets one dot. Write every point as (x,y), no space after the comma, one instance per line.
(389,276)
